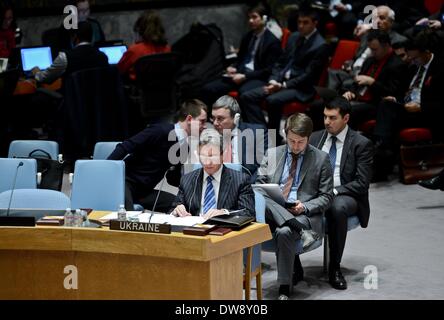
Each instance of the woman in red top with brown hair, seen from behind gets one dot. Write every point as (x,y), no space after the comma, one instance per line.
(150,40)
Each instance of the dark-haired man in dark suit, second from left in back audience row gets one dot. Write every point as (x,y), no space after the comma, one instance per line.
(293,76)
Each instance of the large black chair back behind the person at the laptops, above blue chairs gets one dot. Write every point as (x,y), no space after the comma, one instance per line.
(94,109)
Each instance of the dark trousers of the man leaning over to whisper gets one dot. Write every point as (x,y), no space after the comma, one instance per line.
(147,198)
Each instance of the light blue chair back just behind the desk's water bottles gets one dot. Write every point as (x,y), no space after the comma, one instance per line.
(98,184)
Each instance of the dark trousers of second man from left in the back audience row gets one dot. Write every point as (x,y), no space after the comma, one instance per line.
(251,105)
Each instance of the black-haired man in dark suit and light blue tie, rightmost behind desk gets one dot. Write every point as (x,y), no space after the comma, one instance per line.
(351,157)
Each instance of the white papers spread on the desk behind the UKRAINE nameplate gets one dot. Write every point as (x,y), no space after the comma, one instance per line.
(157,218)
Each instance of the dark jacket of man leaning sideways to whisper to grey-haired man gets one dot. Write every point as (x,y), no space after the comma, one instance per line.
(147,154)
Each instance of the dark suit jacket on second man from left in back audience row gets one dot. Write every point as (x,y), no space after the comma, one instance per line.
(307,64)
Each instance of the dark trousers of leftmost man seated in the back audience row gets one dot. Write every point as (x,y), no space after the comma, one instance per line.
(217,88)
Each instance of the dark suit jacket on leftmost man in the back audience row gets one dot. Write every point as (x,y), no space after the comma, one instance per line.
(267,53)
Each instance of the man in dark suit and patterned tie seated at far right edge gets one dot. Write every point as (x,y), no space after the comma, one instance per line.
(421,103)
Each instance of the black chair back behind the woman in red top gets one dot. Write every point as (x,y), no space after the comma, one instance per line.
(156,81)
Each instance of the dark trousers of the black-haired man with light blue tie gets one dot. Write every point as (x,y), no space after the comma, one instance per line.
(341,208)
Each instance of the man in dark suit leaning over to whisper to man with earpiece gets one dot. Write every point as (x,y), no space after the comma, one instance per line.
(149,154)
